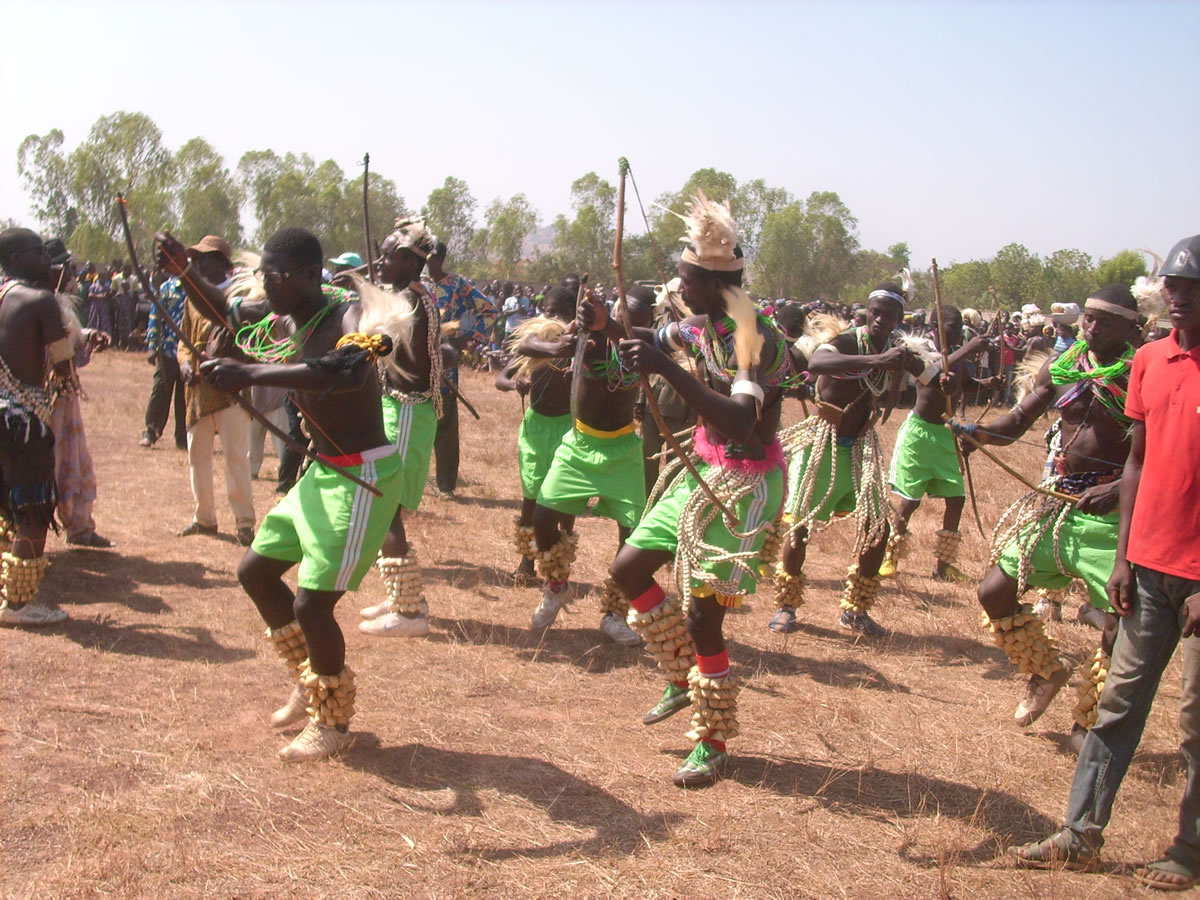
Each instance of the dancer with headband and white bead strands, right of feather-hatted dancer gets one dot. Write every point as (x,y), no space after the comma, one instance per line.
(836,463)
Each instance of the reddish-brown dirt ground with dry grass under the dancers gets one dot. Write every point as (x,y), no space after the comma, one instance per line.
(491,761)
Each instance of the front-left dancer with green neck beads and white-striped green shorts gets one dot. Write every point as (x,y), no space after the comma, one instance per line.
(328,525)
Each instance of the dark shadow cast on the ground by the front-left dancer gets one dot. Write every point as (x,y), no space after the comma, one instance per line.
(565,799)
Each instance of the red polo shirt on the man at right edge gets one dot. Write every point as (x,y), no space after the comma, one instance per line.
(1165,393)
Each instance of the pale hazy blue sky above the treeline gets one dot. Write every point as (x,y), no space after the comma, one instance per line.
(958,128)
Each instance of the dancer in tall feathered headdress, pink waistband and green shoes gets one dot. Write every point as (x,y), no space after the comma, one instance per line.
(745,362)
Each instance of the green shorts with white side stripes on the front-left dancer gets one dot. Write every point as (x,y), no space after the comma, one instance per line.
(333,527)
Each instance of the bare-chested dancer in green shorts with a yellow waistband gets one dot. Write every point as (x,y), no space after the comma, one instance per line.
(599,459)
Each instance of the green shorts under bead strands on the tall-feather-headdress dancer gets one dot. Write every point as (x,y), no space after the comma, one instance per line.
(661,527)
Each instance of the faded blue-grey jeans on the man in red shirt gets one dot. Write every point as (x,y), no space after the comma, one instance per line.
(1144,646)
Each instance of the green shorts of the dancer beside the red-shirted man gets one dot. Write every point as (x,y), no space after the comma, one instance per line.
(1088,547)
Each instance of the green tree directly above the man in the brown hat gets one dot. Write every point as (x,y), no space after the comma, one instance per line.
(209,197)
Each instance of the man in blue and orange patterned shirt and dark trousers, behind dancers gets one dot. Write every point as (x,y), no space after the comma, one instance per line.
(459,301)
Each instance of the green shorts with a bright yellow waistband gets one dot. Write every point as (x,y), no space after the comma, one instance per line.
(611,470)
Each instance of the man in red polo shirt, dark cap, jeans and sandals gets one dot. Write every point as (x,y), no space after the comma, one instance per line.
(1155,589)
